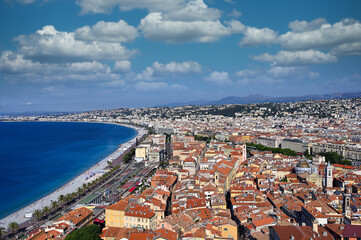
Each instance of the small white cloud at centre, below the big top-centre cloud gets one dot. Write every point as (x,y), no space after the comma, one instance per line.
(173,68)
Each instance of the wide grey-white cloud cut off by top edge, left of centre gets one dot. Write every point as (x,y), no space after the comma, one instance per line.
(96,6)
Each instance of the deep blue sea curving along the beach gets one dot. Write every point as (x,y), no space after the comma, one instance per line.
(36,158)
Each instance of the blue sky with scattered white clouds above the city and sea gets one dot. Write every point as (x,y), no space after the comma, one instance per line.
(78,55)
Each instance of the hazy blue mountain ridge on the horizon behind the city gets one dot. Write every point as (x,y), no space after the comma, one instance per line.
(262,99)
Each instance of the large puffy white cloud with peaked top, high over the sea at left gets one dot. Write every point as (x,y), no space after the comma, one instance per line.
(50,45)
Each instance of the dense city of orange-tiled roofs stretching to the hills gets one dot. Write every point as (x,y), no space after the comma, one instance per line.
(210,185)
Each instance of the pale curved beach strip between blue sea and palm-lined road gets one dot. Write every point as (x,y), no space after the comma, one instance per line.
(72,185)
